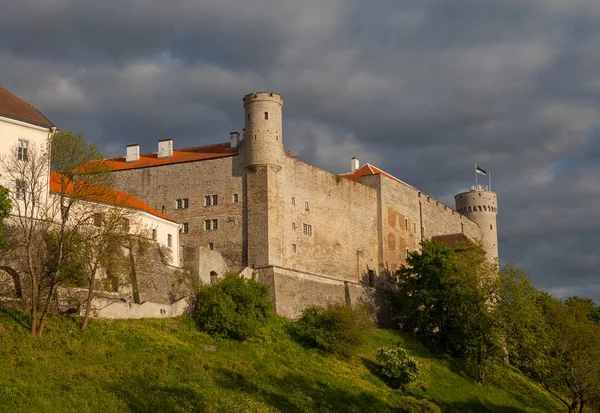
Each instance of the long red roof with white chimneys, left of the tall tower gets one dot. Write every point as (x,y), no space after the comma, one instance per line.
(199,153)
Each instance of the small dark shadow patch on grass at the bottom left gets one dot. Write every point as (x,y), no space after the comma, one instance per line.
(143,396)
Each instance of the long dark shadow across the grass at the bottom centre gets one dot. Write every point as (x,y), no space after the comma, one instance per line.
(294,394)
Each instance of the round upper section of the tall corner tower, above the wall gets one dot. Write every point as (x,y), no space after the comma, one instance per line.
(263,140)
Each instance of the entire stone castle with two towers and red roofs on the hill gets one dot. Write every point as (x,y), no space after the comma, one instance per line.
(313,236)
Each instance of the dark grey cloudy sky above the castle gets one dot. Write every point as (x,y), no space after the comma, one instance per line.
(422,88)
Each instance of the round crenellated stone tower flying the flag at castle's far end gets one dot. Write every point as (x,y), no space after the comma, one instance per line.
(481,206)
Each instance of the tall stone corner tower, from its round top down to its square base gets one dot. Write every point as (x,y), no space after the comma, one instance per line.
(264,157)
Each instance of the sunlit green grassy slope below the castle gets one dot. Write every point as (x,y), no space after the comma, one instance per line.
(164,366)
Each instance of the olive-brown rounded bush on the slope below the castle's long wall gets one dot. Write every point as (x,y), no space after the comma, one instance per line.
(337,328)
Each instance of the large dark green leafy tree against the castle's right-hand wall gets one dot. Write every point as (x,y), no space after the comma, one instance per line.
(449,298)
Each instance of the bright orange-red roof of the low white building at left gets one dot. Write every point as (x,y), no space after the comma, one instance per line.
(96,193)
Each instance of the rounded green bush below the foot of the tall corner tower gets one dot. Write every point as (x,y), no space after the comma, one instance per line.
(235,307)
